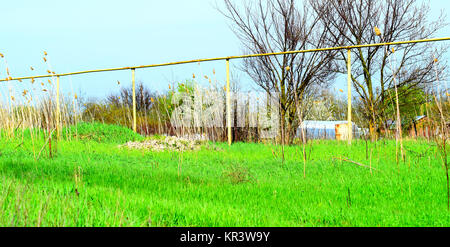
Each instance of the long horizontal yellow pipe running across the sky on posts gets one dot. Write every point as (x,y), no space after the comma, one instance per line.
(232,57)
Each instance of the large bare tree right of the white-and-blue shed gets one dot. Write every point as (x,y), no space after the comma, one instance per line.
(379,70)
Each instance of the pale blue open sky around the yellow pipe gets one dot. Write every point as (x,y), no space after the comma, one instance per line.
(94,34)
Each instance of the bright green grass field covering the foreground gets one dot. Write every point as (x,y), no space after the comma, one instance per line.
(93,182)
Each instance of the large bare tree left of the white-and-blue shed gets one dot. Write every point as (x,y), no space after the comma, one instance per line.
(268,26)
